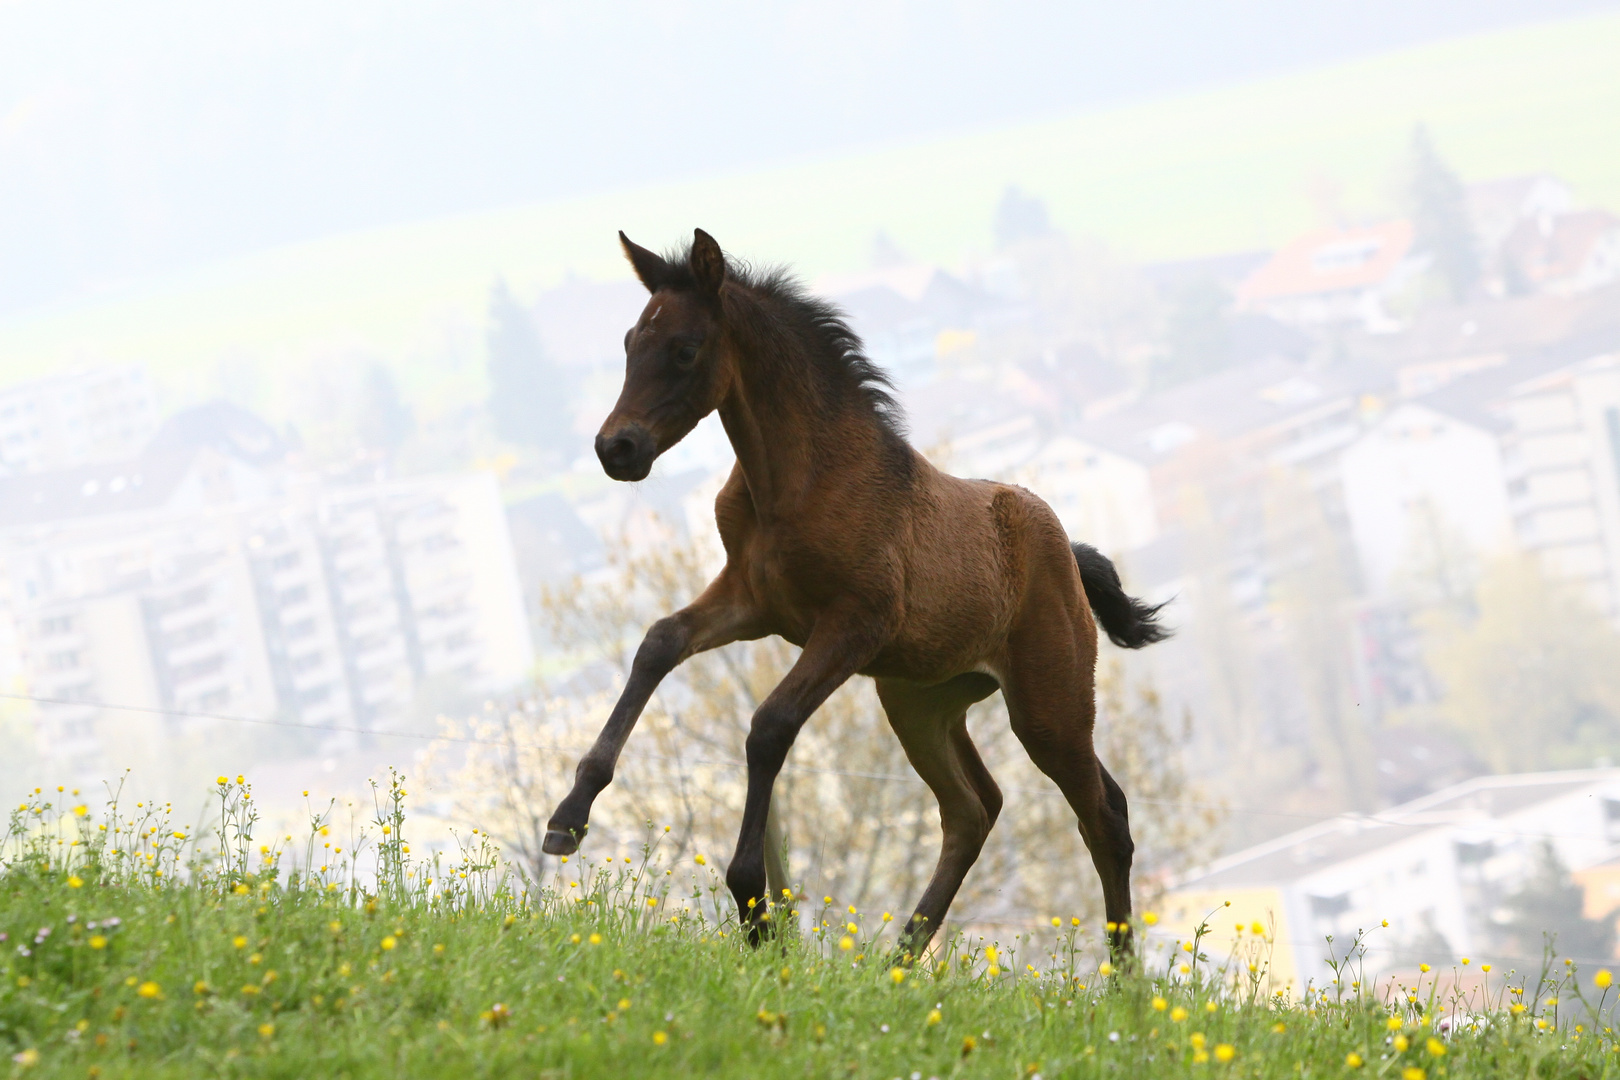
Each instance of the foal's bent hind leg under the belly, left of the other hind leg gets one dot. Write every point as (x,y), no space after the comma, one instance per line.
(932,726)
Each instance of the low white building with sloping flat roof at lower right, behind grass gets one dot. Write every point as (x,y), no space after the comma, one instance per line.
(1436,869)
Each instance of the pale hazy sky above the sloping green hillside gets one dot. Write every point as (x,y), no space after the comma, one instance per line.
(151,137)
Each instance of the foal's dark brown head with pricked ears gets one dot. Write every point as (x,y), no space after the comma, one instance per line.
(678,368)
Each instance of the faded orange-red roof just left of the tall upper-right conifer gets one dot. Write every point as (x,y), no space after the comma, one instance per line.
(1331,261)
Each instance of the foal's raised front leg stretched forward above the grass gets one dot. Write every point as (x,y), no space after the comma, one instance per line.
(720,616)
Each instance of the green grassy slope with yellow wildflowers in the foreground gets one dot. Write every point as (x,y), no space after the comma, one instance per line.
(189,956)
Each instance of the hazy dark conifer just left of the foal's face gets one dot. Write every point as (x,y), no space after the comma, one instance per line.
(529,393)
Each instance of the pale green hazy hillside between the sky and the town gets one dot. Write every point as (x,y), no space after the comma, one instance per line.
(1230,169)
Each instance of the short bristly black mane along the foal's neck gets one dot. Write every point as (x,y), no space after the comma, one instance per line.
(840,367)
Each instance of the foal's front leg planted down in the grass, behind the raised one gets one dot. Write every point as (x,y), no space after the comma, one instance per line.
(833,653)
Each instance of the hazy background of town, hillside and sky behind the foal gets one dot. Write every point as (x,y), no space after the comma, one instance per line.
(1318,341)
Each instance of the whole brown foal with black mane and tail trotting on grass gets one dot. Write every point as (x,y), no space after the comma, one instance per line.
(845,542)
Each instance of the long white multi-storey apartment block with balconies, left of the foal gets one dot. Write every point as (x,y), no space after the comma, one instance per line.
(195,584)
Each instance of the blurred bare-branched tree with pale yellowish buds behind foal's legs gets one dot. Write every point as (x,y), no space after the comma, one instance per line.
(856,822)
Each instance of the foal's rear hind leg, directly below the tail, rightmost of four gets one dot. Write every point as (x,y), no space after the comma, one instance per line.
(1051,694)
